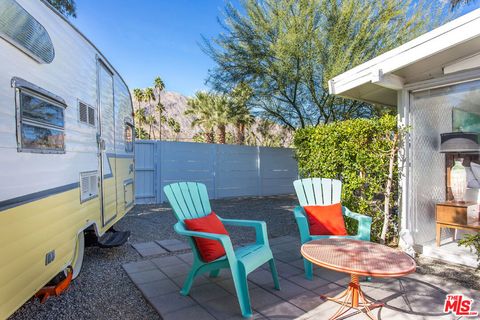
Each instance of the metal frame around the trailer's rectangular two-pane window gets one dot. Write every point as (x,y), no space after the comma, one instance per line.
(24,87)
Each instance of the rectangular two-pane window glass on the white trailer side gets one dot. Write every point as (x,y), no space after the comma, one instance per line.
(41,123)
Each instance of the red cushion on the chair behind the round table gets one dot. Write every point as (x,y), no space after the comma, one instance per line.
(326,220)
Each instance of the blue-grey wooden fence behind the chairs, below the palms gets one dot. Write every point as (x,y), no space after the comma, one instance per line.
(227,170)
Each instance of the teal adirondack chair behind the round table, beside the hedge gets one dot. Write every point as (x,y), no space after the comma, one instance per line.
(322,191)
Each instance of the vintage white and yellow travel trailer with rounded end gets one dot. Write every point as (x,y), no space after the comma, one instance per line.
(66,149)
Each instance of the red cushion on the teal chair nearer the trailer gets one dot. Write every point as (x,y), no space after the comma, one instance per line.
(209,249)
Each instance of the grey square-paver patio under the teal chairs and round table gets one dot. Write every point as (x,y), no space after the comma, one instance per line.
(160,279)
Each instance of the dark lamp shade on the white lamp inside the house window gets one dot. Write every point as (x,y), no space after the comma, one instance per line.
(460,142)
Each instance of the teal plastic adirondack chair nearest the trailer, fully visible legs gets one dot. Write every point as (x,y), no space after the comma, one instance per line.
(190,200)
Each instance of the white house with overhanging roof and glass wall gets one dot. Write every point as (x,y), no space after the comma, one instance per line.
(434,82)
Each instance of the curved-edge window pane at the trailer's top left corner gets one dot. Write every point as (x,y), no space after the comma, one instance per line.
(20,28)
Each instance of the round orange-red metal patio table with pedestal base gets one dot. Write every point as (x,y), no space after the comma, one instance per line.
(357,258)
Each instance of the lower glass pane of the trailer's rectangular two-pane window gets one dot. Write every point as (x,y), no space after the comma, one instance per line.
(41,138)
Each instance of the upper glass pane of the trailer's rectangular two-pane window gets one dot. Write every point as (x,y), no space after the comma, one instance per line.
(40,110)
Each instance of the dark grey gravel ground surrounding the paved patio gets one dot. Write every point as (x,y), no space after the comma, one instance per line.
(104,291)
